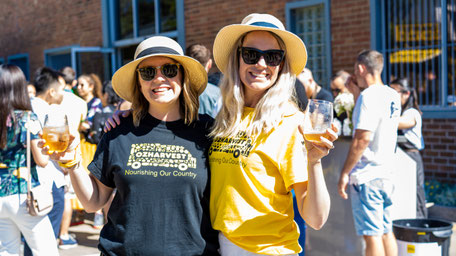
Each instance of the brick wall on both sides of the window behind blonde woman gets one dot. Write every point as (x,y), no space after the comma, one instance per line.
(350,23)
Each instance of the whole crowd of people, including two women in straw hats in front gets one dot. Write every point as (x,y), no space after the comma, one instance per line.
(172,164)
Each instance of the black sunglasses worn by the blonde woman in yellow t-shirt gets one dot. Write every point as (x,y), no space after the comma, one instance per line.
(251,56)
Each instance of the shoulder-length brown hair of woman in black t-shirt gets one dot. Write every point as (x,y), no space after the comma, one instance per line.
(188,100)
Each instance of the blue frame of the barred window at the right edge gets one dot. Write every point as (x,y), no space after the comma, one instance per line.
(378,42)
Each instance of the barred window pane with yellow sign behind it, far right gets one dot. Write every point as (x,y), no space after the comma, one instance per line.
(414,47)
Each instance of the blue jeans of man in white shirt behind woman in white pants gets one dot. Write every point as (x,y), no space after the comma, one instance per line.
(55,215)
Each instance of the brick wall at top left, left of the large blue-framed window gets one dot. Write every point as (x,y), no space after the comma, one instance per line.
(37,25)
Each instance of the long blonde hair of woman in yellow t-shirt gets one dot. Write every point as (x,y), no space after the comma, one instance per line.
(268,112)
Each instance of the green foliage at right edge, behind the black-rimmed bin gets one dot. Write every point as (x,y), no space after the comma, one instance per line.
(440,193)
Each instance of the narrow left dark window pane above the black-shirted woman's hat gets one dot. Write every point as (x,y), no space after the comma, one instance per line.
(125,19)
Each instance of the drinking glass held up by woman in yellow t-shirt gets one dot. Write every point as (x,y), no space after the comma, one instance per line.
(318,118)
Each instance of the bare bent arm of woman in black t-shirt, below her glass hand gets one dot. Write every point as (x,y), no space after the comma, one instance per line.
(90,191)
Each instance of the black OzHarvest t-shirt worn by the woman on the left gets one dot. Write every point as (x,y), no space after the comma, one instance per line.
(160,171)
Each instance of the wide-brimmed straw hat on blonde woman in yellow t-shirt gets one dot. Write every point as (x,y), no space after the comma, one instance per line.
(226,38)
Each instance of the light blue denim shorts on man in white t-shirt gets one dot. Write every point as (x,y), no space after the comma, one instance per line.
(371,206)
